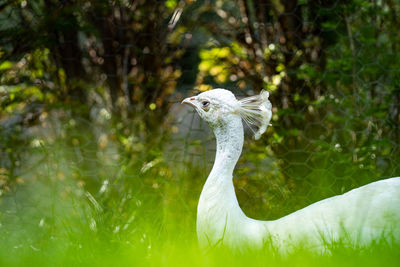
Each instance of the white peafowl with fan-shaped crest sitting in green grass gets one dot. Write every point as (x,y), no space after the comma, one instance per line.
(358,218)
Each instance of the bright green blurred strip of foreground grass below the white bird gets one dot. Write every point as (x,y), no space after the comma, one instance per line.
(178,253)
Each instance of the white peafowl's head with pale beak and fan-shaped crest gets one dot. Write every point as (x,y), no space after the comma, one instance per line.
(218,106)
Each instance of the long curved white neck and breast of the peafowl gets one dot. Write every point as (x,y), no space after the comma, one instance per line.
(219,216)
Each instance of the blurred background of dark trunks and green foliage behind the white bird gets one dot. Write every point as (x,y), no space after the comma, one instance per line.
(96,152)
